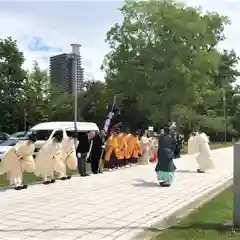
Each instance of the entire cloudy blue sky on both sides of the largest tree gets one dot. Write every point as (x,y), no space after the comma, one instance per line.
(45,28)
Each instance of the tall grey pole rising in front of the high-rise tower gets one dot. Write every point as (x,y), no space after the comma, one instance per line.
(76,58)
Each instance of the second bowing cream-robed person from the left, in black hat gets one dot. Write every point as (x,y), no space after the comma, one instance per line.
(49,159)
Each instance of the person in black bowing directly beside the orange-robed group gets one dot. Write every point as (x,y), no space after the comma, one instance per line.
(96,152)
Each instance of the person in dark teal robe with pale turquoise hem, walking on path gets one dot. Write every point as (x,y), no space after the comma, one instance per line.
(165,167)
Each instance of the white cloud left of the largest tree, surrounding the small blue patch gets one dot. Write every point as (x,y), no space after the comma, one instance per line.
(59,25)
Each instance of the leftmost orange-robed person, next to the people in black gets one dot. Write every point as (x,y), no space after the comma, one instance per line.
(111,151)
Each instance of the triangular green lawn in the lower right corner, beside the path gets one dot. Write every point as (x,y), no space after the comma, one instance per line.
(206,223)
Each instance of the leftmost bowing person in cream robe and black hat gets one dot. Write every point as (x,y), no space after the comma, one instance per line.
(19,159)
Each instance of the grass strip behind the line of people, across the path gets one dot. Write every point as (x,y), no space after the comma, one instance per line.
(30,177)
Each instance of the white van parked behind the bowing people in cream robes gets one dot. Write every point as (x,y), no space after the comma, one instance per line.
(46,130)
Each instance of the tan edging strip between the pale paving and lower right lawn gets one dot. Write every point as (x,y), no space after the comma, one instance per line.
(175,217)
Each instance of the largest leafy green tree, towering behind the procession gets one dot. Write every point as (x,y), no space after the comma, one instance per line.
(163,54)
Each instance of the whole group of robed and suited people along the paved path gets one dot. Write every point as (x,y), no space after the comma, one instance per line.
(121,149)
